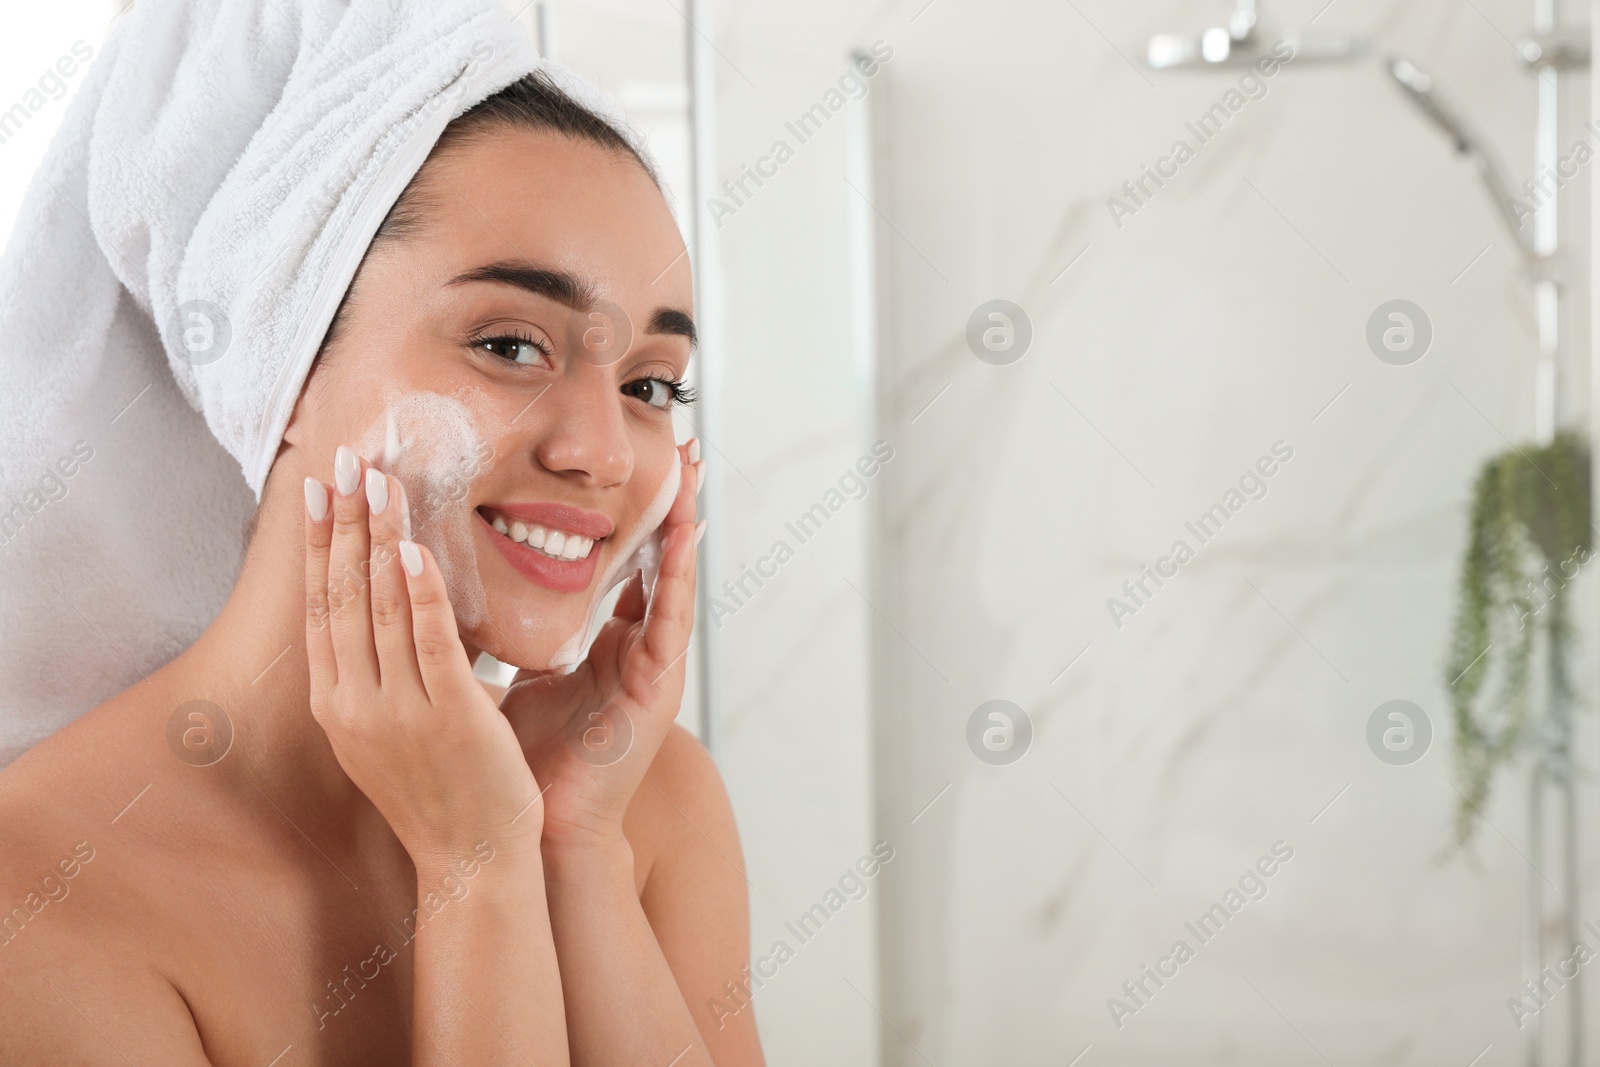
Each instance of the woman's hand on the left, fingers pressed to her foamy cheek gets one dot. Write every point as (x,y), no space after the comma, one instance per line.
(391,682)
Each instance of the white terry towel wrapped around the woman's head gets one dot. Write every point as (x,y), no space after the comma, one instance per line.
(174,271)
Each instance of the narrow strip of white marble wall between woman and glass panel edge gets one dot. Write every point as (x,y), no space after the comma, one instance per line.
(796,714)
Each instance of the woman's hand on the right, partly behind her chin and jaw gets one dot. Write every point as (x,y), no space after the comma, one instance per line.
(593,733)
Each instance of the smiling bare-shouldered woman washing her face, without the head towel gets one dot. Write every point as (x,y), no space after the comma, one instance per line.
(316,837)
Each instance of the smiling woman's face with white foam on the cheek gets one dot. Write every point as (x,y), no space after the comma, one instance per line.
(511,362)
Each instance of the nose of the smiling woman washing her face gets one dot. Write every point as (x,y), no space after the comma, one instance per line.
(582,431)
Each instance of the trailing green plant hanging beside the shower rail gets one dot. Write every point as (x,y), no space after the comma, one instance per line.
(1530,535)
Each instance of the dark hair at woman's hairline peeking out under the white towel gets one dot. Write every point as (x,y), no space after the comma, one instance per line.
(530,103)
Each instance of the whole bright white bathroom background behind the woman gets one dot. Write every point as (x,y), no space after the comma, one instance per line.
(1151,754)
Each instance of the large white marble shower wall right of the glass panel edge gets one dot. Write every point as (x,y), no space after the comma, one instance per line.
(1230,713)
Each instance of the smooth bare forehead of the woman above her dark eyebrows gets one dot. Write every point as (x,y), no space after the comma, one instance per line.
(561,202)
